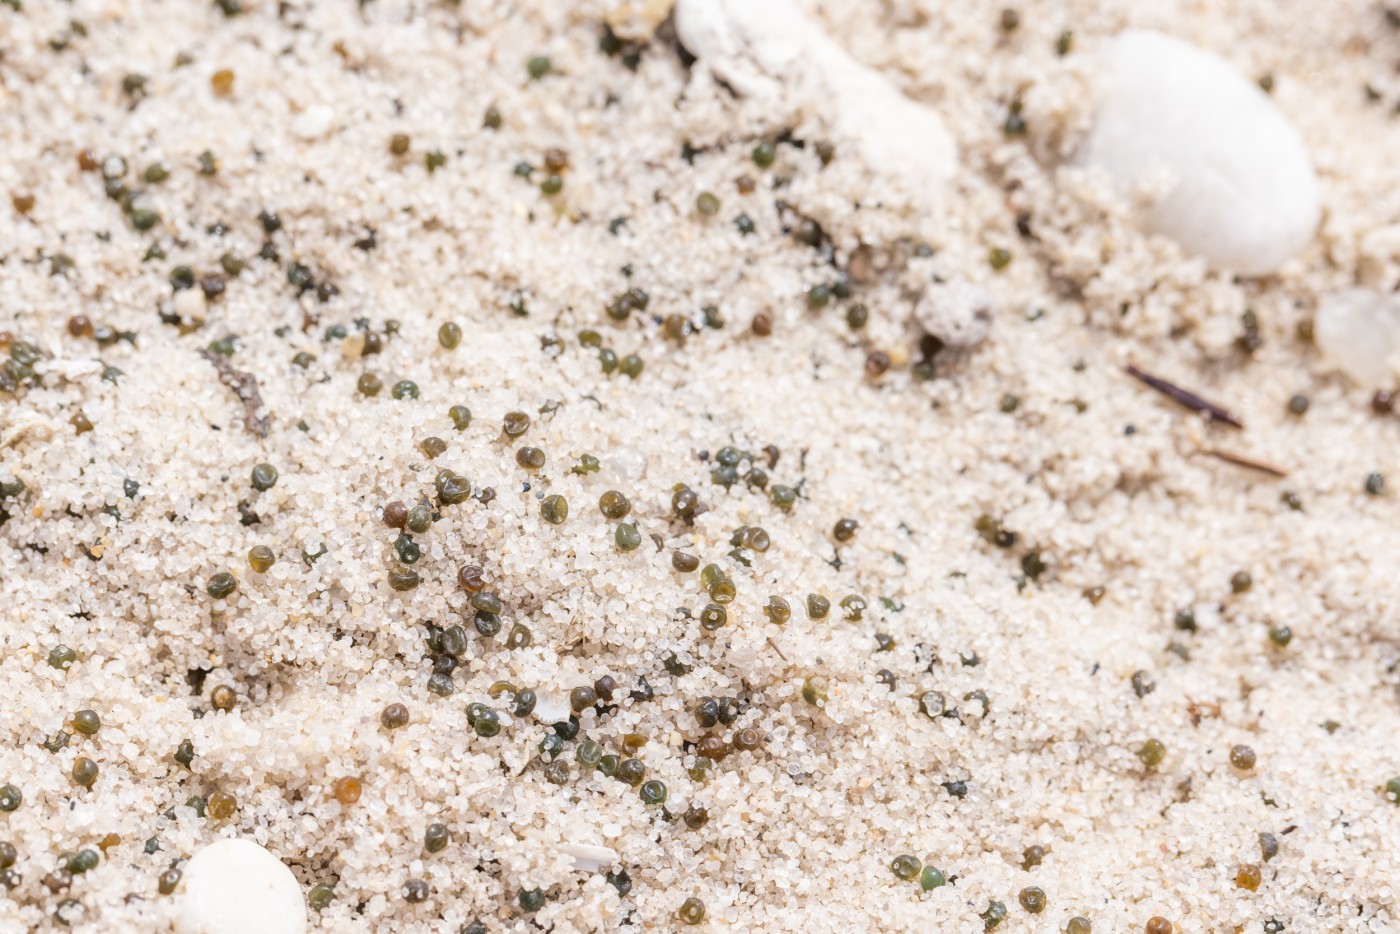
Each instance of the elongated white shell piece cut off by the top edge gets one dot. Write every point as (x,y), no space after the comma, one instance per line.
(765,47)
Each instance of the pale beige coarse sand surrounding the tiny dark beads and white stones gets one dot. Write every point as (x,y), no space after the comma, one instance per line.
(1038,428)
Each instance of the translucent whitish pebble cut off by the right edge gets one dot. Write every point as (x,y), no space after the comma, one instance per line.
(1360,331)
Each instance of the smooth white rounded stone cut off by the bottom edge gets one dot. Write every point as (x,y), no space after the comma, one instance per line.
(234,887)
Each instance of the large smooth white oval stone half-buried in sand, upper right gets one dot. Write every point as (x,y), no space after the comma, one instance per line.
(1240,187)
